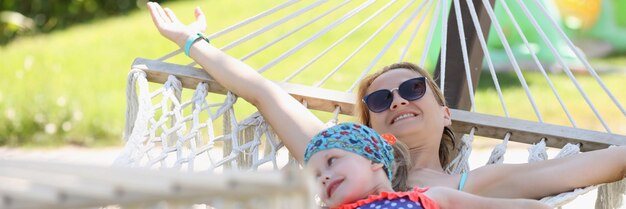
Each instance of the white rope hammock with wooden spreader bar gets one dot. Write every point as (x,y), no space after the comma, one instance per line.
(168,128)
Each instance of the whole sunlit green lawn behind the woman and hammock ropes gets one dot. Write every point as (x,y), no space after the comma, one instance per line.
(69,86)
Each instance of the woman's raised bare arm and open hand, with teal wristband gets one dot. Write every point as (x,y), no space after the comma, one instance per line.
(293,122)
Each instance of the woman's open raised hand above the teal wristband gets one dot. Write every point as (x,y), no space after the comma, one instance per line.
(171,28)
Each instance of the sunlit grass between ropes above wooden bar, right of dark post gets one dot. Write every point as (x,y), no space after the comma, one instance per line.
(549,108)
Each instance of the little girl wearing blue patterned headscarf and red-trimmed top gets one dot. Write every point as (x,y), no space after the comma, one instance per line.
(354,167)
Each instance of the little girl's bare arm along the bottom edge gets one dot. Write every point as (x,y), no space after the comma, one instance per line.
(448,198)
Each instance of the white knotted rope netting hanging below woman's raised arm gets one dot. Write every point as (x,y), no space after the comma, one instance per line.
(168,133)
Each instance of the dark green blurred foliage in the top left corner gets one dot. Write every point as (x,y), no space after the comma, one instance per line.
(18,17)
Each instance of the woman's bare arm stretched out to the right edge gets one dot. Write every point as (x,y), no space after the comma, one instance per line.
(540,179)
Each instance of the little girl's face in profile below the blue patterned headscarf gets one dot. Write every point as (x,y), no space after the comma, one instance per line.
(343,176)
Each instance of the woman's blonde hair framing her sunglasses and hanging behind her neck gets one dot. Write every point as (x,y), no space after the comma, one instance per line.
(447,144)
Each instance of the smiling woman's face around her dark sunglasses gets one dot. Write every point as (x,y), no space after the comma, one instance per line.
(414,122)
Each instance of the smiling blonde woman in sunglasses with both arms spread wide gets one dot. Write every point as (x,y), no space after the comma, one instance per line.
(419,121)
